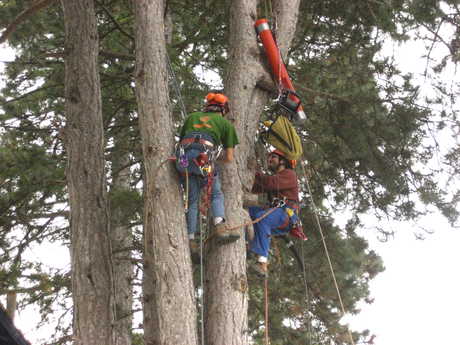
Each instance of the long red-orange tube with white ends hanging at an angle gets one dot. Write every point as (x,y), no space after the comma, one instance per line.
(288,99)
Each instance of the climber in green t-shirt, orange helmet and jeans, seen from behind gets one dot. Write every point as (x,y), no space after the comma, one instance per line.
(200,136)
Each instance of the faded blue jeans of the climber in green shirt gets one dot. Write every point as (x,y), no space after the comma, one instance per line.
(195,184)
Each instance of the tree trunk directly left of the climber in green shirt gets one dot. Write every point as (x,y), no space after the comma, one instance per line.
(169,301)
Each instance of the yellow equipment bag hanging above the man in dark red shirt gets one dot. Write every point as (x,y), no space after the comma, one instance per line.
(282,135)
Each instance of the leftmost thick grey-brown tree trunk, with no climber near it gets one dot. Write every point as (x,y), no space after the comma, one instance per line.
(92,284)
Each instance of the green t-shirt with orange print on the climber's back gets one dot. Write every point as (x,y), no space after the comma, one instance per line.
(222,131)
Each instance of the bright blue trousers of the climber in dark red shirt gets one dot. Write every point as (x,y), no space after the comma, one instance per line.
(265,228)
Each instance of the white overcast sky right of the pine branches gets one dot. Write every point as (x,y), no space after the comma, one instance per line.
(417,297)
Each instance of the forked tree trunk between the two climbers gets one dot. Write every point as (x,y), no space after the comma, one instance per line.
(226,287)
